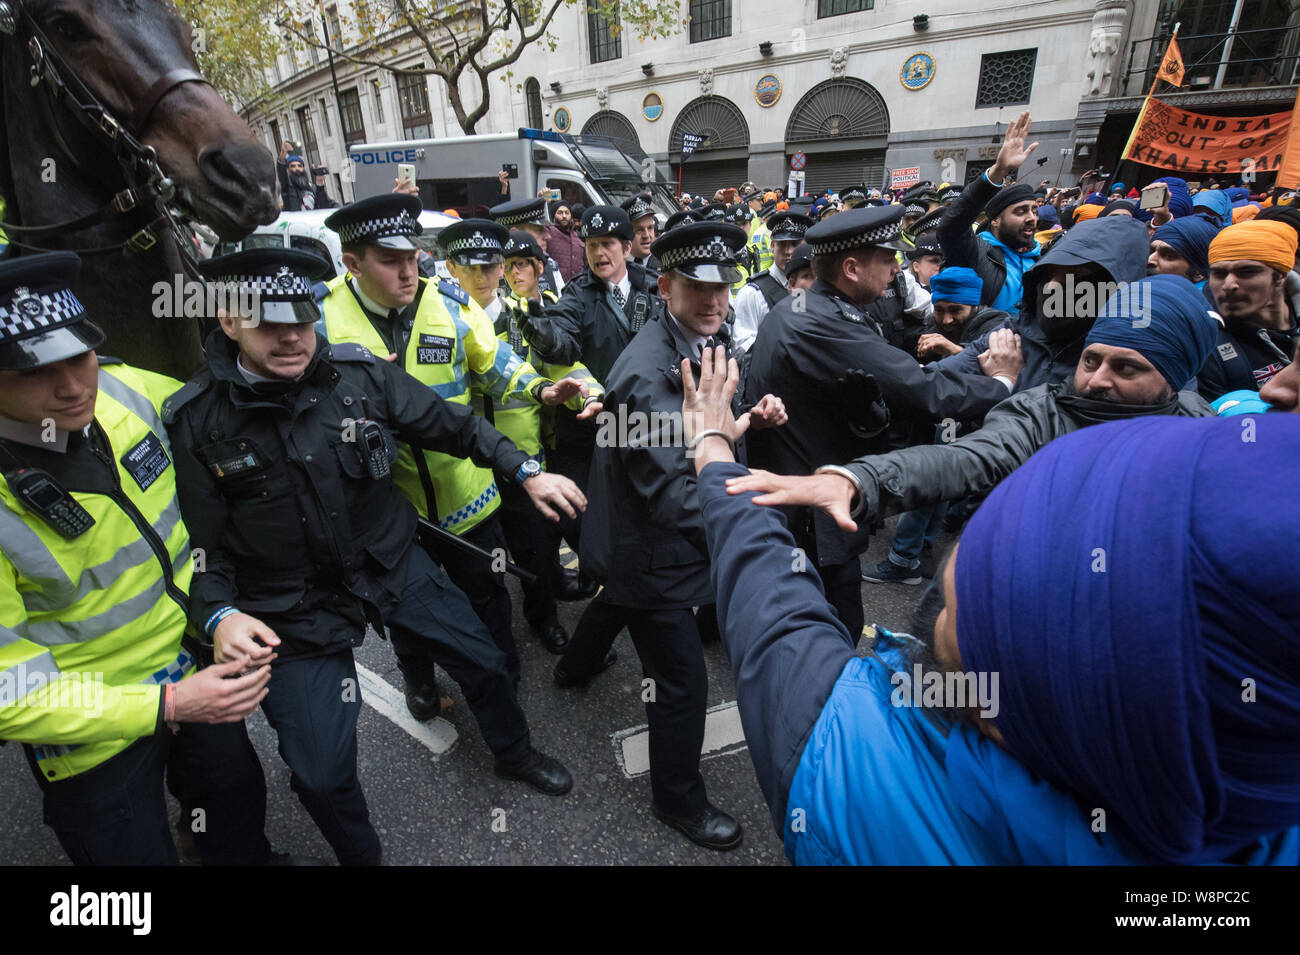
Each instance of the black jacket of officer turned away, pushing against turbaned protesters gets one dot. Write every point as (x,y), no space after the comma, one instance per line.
(803,357)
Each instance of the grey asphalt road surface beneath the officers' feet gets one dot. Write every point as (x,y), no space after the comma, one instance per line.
(449,809)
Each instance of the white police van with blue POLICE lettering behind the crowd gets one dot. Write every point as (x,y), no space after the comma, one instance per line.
(461,172)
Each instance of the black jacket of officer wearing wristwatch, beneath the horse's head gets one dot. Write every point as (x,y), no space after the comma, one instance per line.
(288,522)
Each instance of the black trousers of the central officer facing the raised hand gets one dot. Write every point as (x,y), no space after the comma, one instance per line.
(673,657)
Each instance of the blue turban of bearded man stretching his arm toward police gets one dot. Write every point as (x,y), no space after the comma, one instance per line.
(1165,319)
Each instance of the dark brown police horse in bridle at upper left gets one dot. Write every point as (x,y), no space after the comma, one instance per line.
(111,141)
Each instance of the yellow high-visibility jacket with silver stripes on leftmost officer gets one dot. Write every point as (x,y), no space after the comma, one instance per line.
(92,627)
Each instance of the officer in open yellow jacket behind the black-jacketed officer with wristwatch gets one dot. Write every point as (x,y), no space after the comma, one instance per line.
(444,340)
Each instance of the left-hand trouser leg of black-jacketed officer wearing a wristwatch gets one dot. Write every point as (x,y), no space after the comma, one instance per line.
(314,704)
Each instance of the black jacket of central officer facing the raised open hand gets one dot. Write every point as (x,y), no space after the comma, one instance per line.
(643,532)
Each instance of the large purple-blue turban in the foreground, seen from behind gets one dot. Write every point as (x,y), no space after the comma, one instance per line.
(1124,592)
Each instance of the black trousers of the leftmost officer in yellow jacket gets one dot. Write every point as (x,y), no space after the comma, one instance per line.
(116,814)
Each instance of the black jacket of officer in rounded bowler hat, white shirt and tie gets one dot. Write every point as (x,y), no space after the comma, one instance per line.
(587,325)
